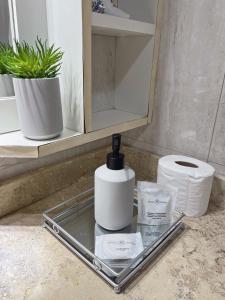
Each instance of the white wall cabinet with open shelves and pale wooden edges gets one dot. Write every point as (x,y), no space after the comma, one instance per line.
(113,88)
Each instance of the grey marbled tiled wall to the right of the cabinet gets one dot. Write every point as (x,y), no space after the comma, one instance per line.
(189,110)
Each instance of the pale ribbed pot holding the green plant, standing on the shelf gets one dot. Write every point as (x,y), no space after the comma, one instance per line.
(39,107)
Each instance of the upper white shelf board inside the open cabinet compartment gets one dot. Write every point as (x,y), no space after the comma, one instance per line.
(104,24)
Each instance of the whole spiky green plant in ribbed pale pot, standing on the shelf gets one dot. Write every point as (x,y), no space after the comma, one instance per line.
(37,90)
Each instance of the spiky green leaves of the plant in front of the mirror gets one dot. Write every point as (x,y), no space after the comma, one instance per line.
(40,61)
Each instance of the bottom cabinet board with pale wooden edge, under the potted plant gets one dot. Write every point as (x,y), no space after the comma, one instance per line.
(14,144)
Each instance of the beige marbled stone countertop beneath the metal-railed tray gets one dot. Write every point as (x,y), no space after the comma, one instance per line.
(36,266)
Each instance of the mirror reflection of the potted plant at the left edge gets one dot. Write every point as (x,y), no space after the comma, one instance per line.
(6,85)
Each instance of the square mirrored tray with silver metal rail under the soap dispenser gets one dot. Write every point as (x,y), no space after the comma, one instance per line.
(73,223)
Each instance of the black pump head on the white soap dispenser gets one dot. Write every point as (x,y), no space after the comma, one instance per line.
(115,159)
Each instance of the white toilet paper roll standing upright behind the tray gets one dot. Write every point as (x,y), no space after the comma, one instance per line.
(192,180)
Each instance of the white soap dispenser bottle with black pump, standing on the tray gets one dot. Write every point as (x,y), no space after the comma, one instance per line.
(114,190)
